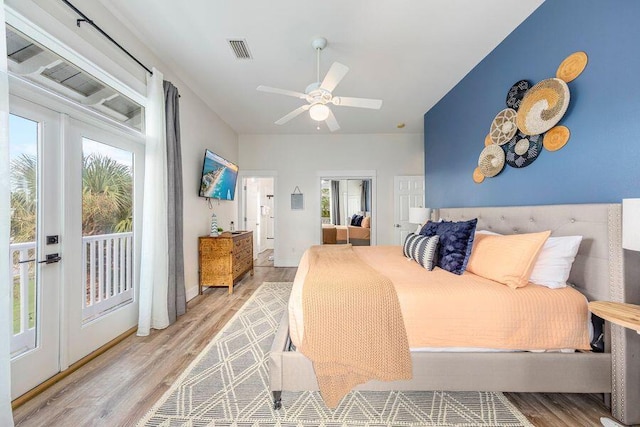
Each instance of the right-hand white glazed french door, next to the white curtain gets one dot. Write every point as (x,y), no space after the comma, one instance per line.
(103,169)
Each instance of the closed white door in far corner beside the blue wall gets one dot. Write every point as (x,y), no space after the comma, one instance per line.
(408,193)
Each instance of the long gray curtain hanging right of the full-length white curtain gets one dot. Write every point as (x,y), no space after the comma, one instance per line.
(177,301)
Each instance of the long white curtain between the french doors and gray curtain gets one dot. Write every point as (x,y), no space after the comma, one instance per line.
(154,250)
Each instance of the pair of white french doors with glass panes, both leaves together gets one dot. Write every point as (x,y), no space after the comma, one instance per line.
(74,238)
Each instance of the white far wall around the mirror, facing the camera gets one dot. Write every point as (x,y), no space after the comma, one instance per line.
(298,159)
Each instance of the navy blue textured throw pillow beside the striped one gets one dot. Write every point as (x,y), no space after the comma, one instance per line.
(456,241)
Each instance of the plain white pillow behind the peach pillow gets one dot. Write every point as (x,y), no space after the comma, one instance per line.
(554,261)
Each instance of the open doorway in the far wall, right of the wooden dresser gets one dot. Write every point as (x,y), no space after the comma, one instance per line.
(257,214)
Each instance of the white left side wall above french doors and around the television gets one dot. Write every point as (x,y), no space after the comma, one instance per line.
(200,126)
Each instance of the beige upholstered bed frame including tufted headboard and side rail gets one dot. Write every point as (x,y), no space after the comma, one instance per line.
(598,272)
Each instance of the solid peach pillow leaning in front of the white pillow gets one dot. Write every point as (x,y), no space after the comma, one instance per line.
(506,259)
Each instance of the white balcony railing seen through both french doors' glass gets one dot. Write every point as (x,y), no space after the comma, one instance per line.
(107,262)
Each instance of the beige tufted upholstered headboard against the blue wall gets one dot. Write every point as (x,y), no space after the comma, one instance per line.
(597,270)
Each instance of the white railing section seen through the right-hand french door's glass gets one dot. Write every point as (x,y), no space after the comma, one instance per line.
(108,264)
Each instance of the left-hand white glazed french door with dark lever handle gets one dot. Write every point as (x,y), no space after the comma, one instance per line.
(36,227)
